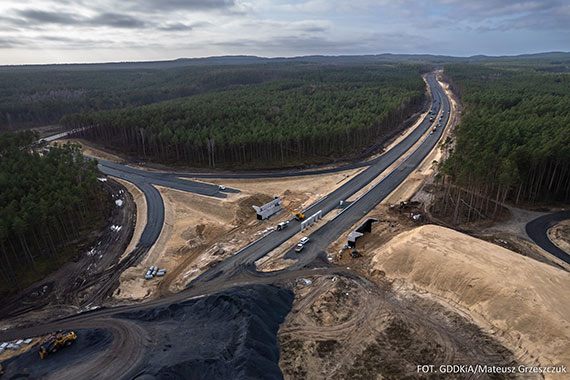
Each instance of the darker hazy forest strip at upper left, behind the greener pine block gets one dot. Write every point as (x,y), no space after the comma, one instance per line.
(34,98)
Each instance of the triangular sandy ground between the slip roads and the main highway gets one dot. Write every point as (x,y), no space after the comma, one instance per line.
(200,231)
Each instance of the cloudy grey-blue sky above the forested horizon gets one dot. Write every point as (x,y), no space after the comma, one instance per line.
(50,31)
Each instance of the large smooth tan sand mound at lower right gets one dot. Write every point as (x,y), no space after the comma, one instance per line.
(522,298)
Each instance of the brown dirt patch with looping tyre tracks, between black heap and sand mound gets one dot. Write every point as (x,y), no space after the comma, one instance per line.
(350,328)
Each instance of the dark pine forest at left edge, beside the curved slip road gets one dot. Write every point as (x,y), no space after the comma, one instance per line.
(49,197)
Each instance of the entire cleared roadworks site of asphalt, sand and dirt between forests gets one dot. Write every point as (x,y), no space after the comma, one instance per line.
(338,272)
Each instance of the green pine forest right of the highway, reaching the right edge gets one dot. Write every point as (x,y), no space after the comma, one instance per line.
(513,142)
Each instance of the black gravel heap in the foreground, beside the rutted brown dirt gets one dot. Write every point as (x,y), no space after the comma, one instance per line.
(228,335)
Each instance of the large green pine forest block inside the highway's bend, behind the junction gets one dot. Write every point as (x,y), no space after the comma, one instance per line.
(320,114)
